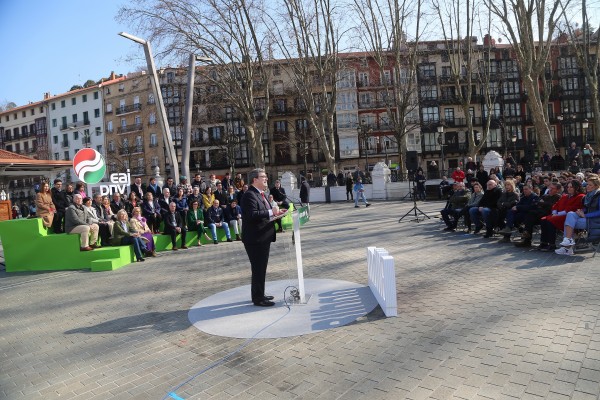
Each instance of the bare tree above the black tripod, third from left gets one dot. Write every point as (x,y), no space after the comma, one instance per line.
(383,32)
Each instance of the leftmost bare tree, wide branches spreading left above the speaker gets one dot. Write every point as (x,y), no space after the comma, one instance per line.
(230,32)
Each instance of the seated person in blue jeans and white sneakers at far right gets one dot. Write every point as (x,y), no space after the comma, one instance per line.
(585,217)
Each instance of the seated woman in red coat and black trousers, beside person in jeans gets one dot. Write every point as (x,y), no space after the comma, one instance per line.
(570,201)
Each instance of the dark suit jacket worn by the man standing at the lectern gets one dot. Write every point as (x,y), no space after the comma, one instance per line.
(256,227)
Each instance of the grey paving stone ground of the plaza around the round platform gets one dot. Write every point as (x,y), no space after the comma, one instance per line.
(477,320)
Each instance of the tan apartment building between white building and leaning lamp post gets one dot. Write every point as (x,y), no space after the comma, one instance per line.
(133,137)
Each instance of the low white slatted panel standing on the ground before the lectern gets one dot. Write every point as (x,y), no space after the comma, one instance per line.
(382,279)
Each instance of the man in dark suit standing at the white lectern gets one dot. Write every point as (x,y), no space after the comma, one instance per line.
(258,231)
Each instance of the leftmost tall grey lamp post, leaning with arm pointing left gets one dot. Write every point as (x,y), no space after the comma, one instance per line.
(162,113)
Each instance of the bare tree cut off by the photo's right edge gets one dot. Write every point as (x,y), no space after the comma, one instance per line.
(585,44)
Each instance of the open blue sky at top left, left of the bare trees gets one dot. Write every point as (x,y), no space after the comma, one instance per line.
(49,46)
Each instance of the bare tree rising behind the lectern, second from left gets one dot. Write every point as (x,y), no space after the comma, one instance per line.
(309,40)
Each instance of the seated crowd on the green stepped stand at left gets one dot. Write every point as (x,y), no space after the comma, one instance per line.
(201,206)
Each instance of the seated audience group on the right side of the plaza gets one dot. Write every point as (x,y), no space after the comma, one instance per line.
(565,202)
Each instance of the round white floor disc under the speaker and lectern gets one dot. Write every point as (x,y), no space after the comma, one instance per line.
(332,303)
